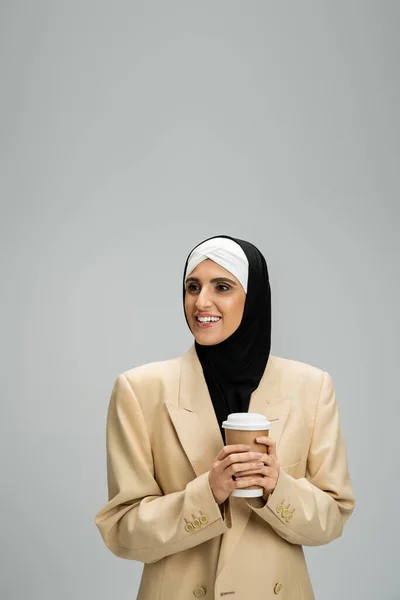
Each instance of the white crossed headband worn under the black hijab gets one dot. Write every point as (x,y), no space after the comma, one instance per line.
(226,253)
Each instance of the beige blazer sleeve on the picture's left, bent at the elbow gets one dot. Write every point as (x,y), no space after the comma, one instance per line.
(139,522)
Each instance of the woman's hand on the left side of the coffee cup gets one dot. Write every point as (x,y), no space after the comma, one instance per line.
(230,462)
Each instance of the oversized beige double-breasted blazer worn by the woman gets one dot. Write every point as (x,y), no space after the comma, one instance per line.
(162,438)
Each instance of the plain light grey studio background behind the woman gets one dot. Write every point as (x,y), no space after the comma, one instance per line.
(130,131)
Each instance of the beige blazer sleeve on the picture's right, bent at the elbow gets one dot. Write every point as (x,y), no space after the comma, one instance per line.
(312,510)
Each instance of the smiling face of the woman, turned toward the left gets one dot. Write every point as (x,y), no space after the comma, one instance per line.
(212,291)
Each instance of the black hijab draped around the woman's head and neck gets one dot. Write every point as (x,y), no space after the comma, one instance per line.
(233,368)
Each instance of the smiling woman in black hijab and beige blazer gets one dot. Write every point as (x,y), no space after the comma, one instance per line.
(170,475)
